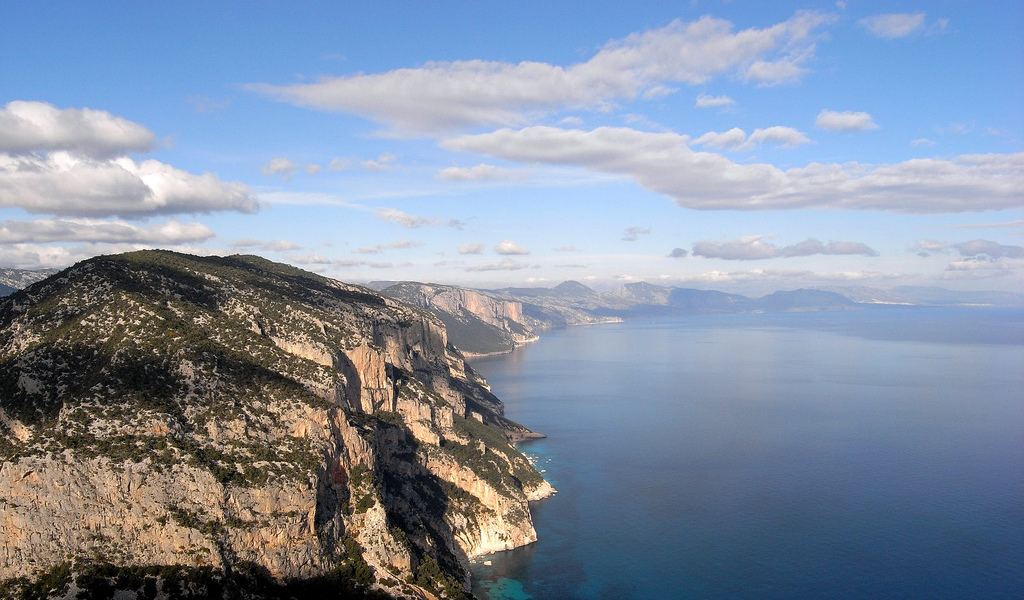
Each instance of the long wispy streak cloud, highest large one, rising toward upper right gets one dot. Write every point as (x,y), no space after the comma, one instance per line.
(449,96)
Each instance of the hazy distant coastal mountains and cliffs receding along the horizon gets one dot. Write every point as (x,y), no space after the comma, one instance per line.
(485,322)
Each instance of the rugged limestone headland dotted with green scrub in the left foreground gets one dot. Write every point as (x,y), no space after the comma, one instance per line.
(161,409)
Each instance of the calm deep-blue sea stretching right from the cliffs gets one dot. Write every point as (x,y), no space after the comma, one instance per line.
(860,455)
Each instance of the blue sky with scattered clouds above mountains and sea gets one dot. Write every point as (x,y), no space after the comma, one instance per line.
(743,146)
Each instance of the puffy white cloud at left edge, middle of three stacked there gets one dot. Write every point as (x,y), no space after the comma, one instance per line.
(62,184)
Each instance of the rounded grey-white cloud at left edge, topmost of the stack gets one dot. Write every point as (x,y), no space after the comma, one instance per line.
(31,126)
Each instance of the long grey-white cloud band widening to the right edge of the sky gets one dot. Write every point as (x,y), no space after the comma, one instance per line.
(664,163)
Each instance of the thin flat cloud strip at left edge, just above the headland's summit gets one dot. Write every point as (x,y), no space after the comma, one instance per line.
(96,231)
